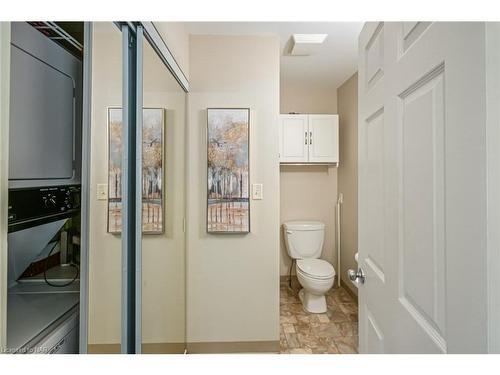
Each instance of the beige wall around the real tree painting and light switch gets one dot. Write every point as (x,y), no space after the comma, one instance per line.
(233,280)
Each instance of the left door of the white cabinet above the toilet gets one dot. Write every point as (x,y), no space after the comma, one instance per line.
(294,139)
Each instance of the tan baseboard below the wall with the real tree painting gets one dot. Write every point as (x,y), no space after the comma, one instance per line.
(233,347)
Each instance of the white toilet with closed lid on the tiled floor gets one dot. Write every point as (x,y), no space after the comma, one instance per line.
(304,242)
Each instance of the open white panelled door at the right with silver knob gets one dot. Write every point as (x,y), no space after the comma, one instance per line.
(422,188)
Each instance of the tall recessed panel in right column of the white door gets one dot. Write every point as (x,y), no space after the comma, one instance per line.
(422,246)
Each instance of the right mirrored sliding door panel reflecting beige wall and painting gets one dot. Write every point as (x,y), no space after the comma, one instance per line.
(163,255)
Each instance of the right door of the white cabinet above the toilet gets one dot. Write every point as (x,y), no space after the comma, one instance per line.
(323,138)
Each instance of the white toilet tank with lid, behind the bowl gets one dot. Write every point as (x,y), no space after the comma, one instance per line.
(304,239)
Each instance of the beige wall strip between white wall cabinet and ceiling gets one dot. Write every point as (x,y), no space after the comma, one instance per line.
(306,97)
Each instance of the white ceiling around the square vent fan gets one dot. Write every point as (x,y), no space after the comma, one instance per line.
(329,68)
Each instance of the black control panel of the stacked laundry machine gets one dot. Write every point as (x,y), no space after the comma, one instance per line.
(29,207)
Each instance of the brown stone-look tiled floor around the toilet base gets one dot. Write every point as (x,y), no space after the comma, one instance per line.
(334,332)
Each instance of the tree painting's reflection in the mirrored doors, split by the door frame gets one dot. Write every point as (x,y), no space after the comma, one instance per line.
(152,170)
